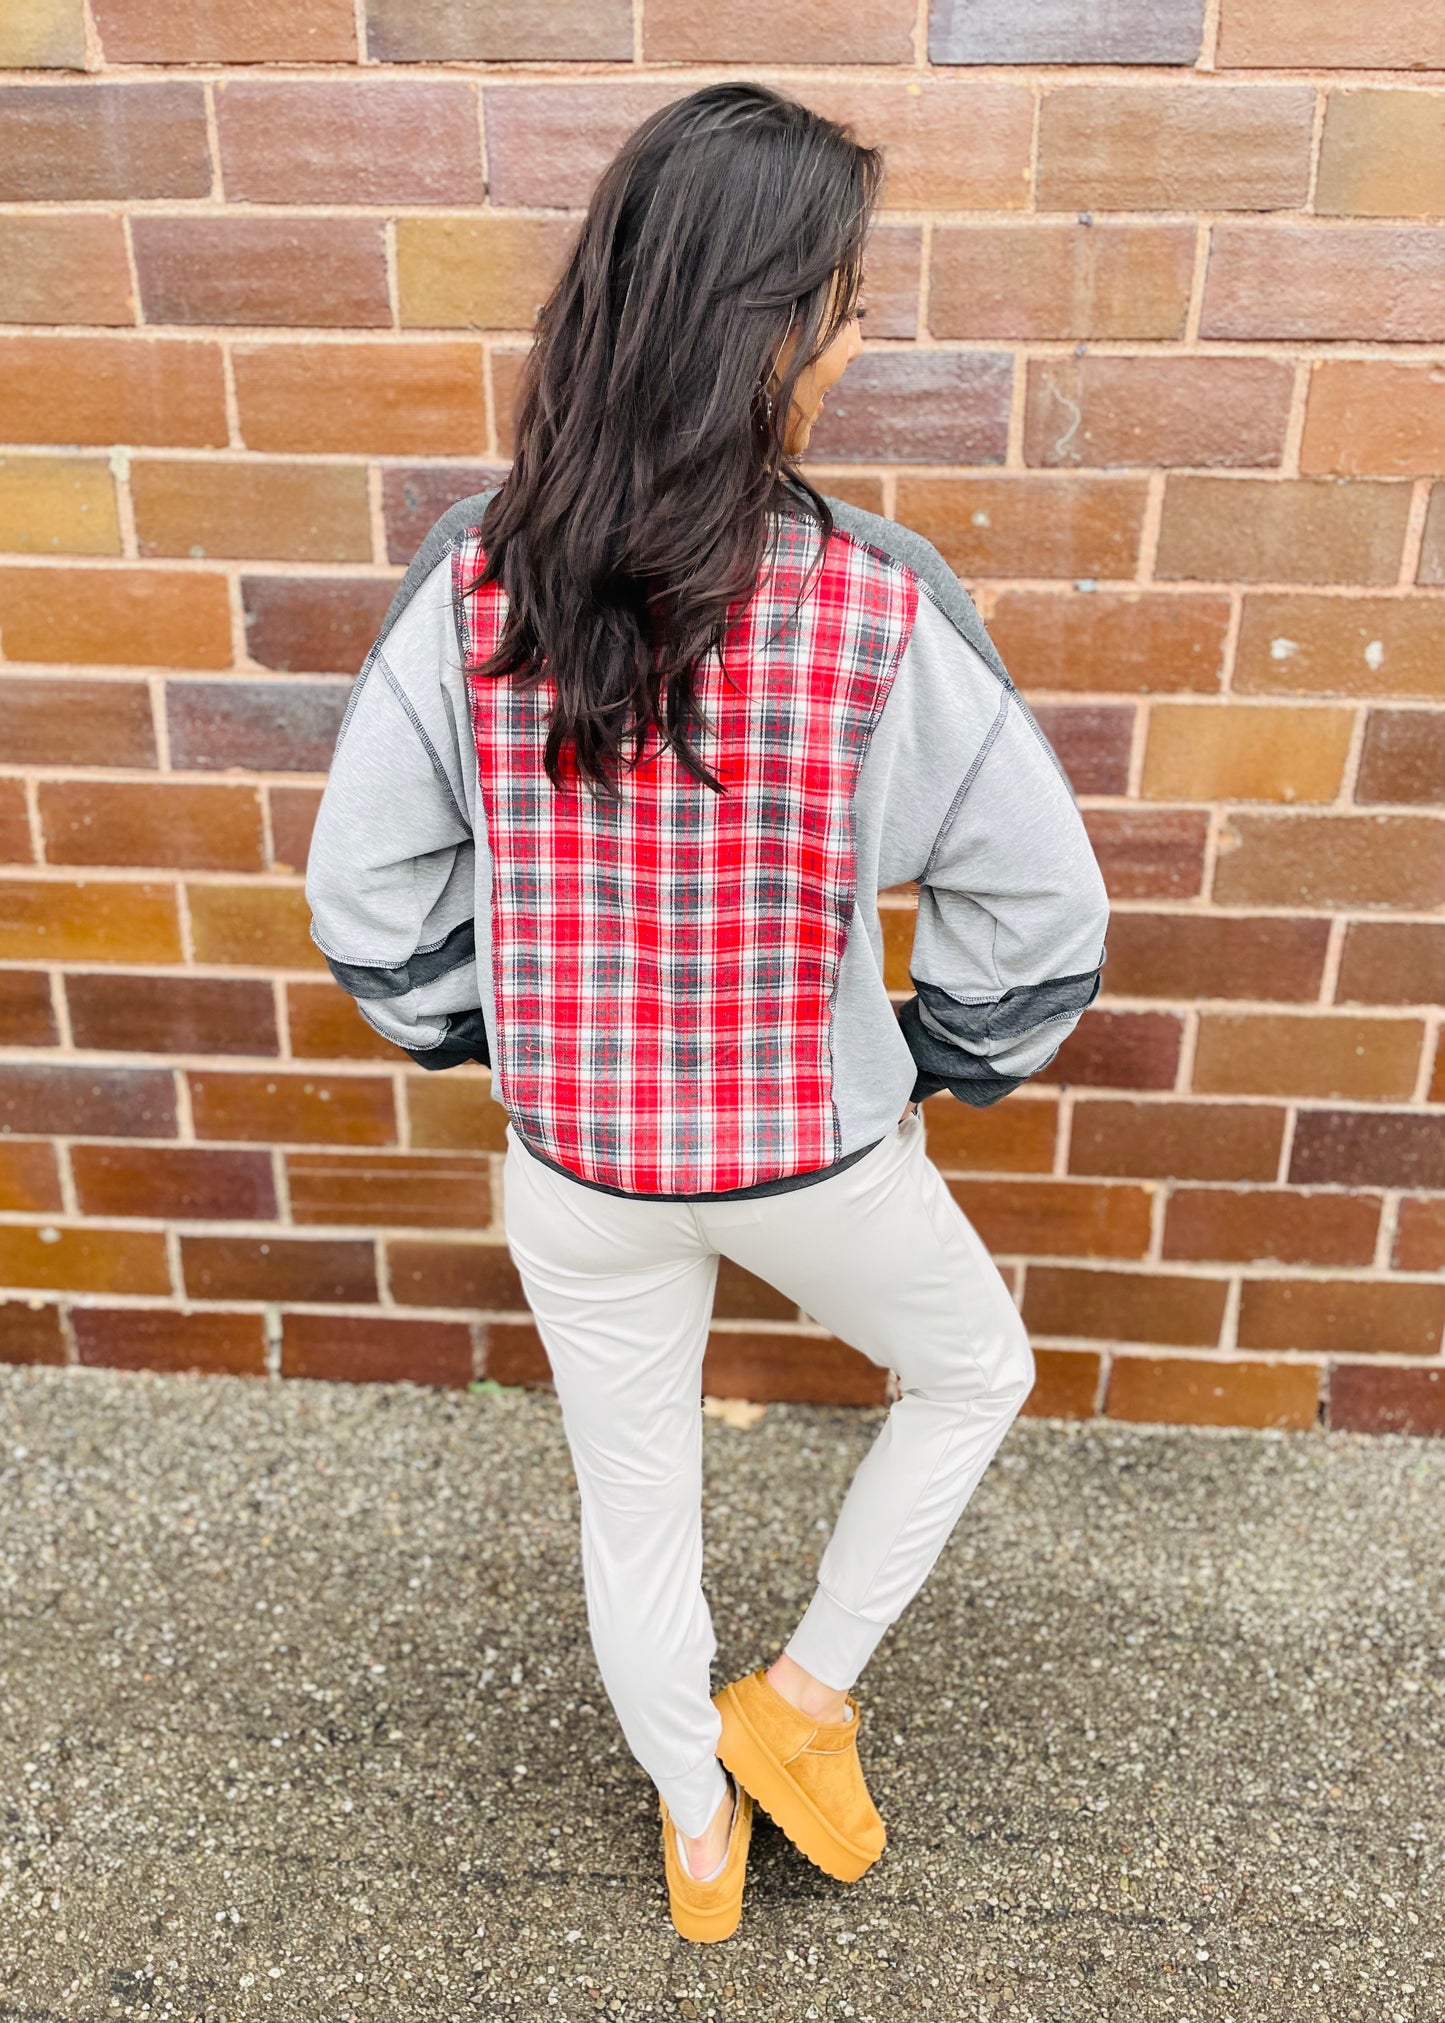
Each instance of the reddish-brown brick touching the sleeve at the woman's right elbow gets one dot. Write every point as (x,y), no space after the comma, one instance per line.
(1201,956)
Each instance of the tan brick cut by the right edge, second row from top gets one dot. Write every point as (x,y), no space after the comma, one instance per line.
(1383,155)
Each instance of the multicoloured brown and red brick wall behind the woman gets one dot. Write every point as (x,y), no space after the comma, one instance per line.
(1159,313)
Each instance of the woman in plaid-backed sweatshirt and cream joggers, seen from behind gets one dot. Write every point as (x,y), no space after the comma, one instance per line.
(643,737)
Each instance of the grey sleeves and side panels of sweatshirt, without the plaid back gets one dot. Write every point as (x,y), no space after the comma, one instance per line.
(960,792)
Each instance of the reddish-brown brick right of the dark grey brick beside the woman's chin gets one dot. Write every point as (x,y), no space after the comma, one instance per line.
(1100,412)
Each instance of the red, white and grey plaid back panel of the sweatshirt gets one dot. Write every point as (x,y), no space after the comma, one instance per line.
(665,966)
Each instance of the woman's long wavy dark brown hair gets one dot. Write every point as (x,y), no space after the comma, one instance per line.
(649,458)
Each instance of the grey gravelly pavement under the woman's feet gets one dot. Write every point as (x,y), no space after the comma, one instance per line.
(299,1721)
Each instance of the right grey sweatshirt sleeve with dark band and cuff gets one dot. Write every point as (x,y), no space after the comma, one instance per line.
(1013,913)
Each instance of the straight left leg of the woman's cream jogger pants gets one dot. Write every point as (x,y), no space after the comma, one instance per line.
(622,1294)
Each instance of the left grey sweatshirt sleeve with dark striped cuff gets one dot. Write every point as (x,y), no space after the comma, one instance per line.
(392,871)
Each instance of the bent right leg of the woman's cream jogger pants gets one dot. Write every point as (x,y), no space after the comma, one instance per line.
(887,1259)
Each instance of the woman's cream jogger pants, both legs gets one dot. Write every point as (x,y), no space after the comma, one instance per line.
(622,1294)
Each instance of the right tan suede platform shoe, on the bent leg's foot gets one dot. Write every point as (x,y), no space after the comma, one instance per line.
(804,1773)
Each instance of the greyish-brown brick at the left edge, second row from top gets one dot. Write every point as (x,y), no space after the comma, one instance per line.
(78,143)
